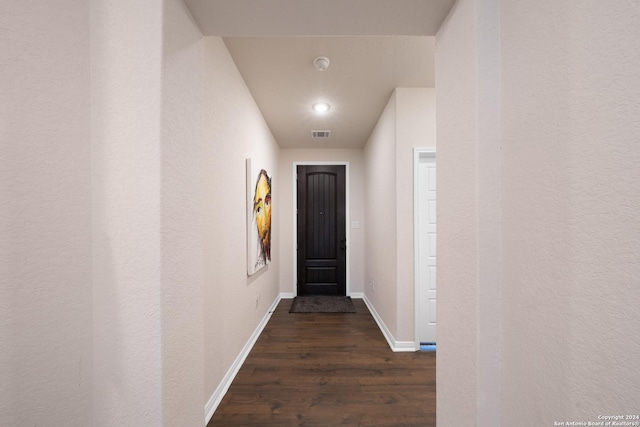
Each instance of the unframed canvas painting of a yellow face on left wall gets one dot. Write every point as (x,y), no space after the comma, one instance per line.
(258,218)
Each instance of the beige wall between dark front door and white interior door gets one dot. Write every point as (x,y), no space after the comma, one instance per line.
(408,121)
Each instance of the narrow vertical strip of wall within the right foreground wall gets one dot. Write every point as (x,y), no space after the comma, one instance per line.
(489,160)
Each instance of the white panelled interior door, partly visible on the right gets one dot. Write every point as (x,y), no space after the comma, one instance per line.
(426,234)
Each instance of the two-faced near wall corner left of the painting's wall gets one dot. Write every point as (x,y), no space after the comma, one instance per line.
(147,65)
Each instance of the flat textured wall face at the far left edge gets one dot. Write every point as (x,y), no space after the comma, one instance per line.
(45,214)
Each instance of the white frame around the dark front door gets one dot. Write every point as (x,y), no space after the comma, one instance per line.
(295,222)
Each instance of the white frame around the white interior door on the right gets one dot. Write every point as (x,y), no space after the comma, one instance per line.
(418,153)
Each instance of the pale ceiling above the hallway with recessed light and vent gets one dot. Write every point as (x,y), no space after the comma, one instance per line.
(374,46)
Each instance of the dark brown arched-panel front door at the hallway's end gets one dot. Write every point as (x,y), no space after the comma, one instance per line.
(322,239)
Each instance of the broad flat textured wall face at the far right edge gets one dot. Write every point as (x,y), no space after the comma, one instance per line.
(570,102)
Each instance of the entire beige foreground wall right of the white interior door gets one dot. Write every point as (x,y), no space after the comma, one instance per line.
(561,166)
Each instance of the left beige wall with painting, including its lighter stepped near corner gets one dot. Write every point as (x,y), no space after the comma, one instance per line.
(174,305)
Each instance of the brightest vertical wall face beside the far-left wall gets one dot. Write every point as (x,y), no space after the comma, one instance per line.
(126,183)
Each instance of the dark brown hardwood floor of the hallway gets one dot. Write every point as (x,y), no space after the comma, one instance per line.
(329,370)
